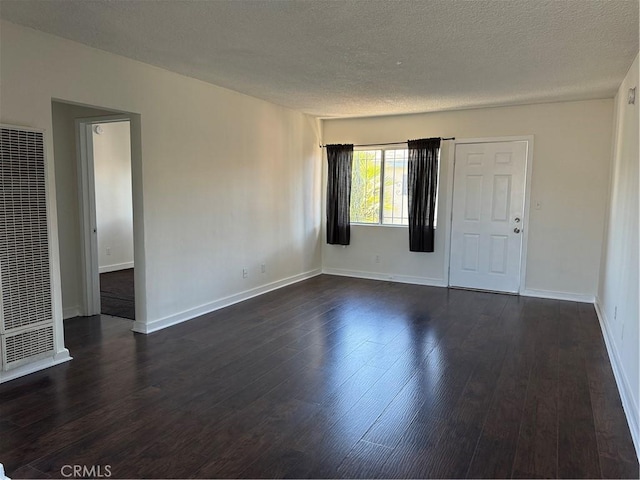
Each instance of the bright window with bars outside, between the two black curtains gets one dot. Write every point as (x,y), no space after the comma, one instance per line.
(379,187)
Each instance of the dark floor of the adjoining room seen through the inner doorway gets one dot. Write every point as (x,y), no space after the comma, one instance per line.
(117,296)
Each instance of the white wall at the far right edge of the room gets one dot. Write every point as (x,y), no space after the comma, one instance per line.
(618,292)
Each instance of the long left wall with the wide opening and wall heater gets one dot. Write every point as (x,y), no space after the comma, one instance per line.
(225,181)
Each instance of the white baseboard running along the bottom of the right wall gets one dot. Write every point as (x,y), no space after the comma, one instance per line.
(630,409)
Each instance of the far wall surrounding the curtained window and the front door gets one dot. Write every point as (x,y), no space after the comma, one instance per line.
(571,158)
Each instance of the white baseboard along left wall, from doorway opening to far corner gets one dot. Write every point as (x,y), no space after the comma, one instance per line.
(159,324)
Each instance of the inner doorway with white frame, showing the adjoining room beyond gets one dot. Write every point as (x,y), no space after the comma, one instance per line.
(105,177)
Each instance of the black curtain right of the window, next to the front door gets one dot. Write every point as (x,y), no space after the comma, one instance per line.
(422,188)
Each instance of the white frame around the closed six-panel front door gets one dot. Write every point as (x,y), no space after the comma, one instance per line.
(527,200)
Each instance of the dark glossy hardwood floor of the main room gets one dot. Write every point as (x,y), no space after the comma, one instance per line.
(331,377)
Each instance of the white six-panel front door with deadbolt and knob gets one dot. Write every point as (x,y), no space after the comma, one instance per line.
(487,216)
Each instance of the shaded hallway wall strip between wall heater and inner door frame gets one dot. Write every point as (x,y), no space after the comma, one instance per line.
(66,188)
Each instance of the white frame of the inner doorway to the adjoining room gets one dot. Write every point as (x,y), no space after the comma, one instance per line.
(87,206)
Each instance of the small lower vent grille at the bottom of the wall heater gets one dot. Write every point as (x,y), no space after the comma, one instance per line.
(26,346)
